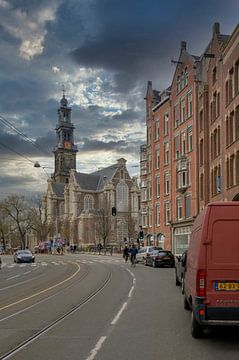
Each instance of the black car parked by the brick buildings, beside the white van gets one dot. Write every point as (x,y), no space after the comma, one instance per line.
(160,258)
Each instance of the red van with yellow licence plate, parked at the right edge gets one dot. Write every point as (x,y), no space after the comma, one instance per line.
(211,283)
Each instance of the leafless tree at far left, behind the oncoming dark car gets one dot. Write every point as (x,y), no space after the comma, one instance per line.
(17,210)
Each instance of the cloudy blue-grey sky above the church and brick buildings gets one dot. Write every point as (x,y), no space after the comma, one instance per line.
(103,52)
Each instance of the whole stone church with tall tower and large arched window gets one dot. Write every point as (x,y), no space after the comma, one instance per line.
(78,206)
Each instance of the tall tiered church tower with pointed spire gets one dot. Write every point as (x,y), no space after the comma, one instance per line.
(65,150)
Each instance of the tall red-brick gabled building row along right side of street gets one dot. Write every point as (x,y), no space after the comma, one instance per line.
(192,150)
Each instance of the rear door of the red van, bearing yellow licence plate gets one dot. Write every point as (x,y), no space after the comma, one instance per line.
(222,248)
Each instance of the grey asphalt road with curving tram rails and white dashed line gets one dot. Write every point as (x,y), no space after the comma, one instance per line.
(87,307)
